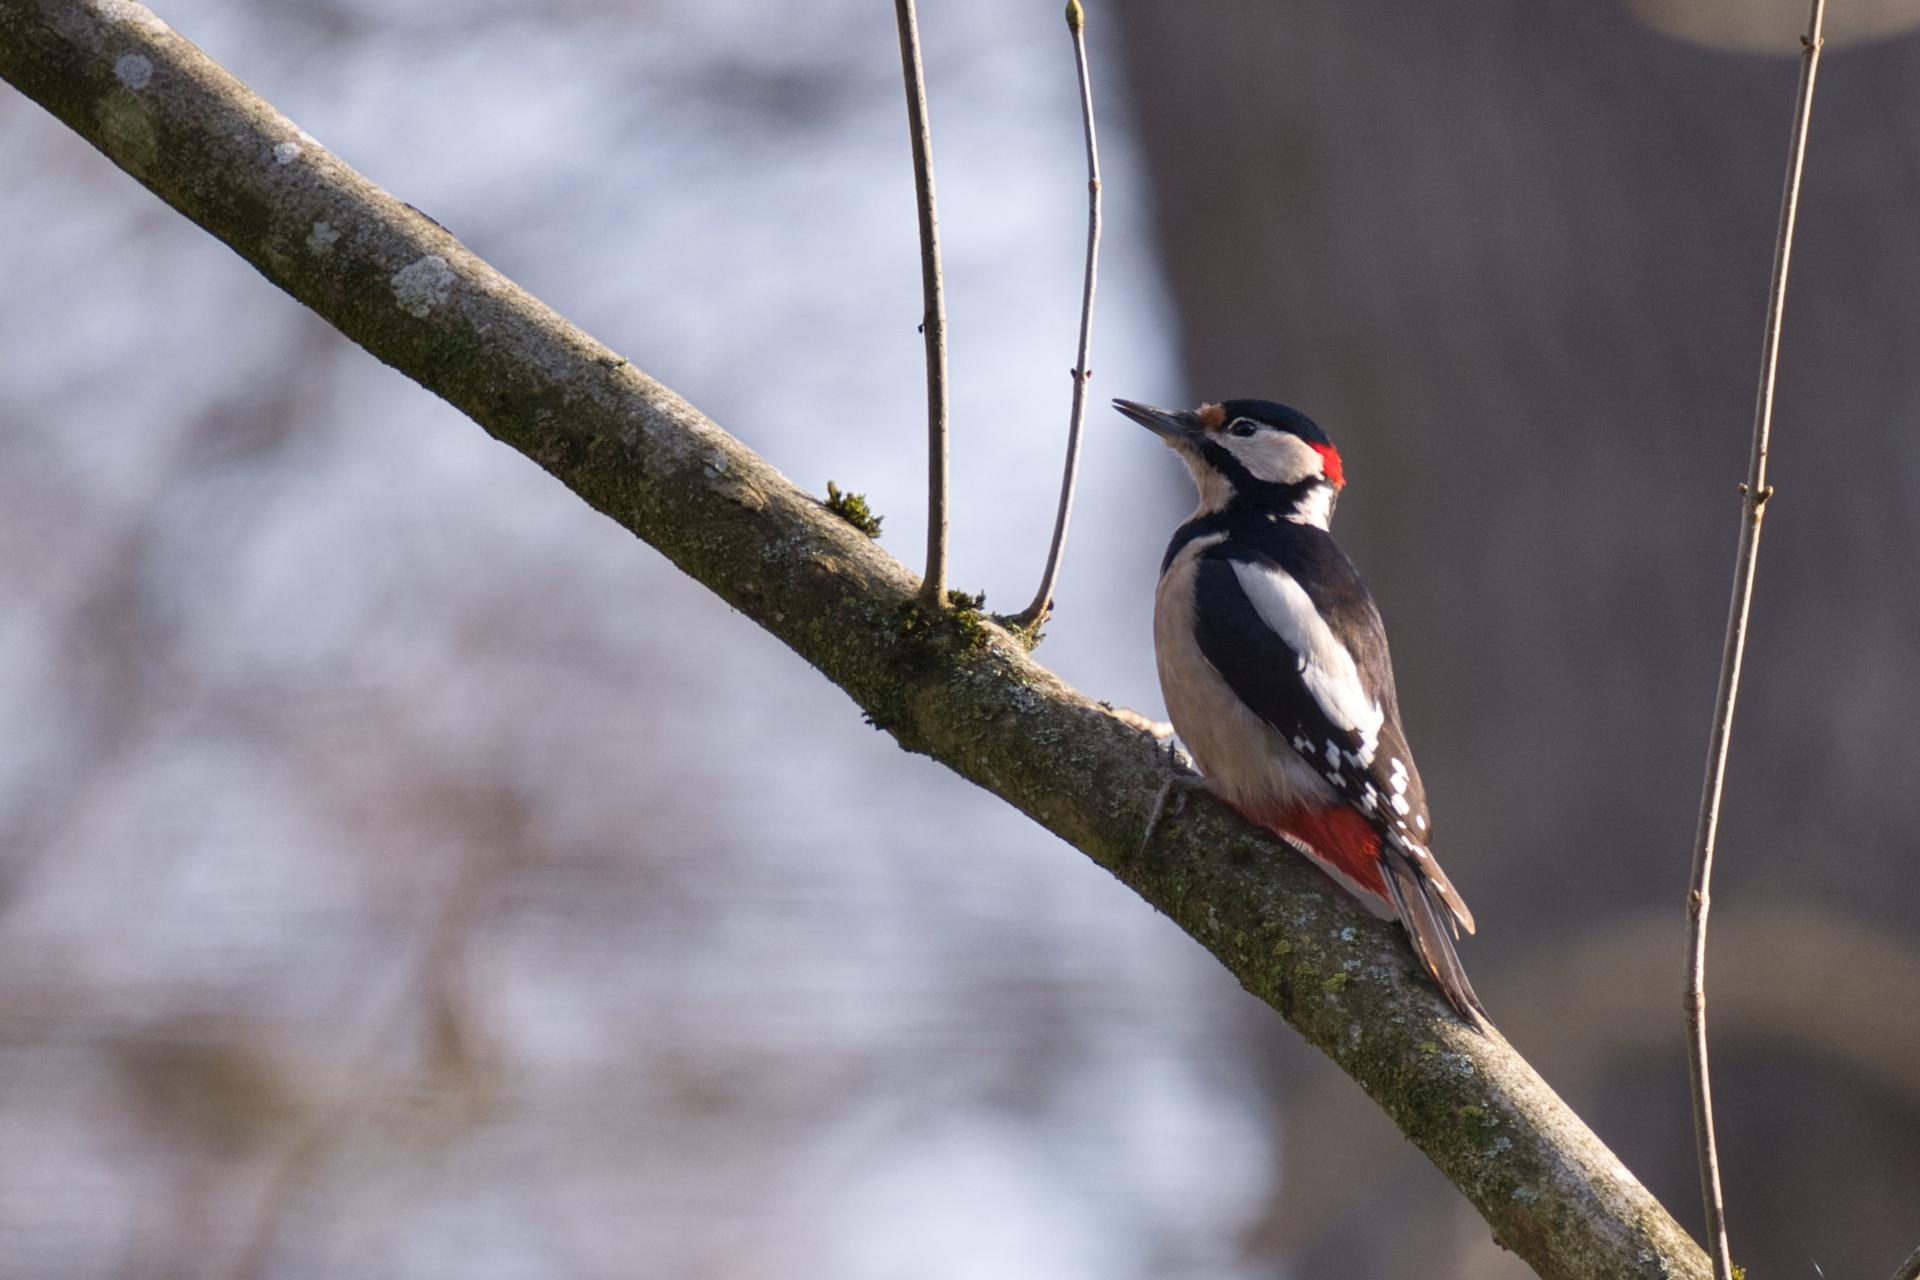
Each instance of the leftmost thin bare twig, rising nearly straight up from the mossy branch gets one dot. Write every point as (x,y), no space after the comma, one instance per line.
(934,325)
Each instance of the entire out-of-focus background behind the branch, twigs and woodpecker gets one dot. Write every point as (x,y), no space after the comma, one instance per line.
(408,874)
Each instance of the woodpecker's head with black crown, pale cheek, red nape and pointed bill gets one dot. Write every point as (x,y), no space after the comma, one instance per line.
(1251,452)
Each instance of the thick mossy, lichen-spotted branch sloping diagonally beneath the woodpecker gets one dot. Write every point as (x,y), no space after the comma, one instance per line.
(946,684)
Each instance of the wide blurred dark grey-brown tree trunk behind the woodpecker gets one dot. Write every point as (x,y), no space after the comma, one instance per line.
(1514,258)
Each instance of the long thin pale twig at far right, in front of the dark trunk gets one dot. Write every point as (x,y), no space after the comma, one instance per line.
(1754,506)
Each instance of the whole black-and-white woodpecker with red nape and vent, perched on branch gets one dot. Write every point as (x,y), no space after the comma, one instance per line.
(1276,671)
